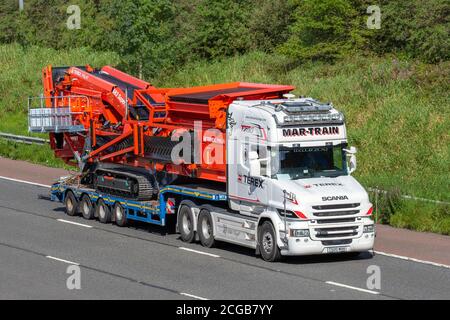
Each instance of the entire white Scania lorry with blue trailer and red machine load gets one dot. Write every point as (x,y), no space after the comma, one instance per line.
(243,163)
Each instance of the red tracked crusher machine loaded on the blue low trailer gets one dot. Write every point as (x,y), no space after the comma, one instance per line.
(118,129)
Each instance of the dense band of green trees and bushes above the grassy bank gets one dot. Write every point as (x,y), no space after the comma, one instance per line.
(155,35)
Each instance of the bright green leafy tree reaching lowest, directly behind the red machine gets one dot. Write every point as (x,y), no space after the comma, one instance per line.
(138,31)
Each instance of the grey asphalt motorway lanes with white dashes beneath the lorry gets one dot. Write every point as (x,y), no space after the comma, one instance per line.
(38,243)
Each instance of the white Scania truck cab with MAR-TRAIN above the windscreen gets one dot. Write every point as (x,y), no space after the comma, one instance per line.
(289,187)
